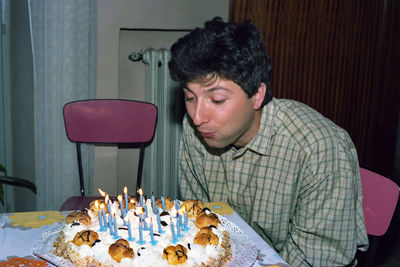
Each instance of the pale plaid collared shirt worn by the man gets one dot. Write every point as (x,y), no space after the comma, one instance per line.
(297,184)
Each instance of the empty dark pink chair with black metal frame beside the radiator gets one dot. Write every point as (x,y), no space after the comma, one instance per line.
(107,121)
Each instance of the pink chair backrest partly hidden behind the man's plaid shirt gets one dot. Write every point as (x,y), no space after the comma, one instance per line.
(380,196)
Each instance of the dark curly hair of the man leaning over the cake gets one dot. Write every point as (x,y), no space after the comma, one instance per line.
(228,50)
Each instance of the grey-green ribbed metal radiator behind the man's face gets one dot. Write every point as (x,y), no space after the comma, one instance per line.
(161,157)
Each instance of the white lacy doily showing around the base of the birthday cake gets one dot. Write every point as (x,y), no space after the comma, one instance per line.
(244,252)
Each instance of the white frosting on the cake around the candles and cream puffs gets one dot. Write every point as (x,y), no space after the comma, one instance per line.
(149,255)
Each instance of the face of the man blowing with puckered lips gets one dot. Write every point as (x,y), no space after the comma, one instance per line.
(222,112)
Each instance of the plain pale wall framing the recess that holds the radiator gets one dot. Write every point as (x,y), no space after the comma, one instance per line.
(136,14)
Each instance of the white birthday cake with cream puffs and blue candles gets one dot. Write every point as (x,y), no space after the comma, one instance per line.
(144,232)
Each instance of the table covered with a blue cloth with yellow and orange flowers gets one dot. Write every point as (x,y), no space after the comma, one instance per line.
(20,231)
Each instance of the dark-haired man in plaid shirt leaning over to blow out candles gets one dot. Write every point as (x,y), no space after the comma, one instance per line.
(291,173)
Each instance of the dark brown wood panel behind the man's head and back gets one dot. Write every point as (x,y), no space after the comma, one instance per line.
(332,55)
